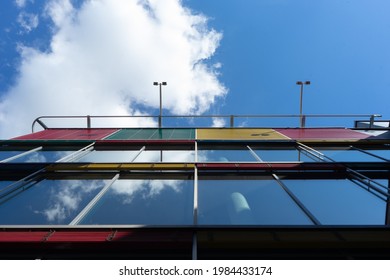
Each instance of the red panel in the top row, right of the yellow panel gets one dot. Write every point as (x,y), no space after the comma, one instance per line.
(322,133)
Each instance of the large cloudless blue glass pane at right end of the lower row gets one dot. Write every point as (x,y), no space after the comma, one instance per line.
(339,202)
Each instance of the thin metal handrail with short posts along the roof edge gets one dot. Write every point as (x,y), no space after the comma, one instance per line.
(231,118)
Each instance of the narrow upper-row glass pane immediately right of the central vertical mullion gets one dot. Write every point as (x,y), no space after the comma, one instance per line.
(226,156)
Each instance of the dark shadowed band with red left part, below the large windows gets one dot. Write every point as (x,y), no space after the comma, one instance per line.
(212,242)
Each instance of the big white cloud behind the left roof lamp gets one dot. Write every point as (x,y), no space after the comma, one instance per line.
(104,58)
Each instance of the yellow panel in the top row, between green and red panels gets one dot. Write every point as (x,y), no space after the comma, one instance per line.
(239,134)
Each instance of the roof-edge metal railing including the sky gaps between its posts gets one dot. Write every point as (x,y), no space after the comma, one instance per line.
(225,120)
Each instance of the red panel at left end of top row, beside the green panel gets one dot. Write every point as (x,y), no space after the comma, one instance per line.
(69,134)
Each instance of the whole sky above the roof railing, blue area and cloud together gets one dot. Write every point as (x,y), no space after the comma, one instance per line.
(242,57)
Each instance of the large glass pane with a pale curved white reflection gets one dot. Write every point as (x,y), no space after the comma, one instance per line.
(251,202)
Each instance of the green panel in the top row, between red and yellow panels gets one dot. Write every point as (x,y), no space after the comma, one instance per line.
(153,134)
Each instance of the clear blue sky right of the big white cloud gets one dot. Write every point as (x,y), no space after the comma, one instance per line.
(342,47)
